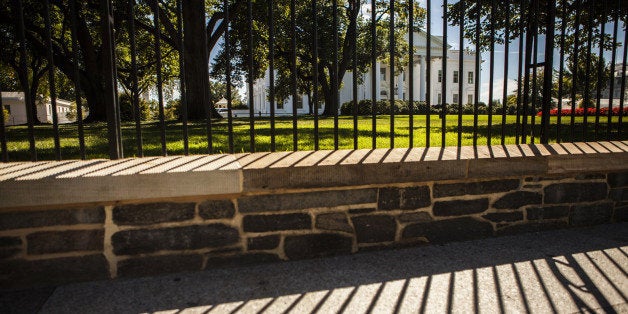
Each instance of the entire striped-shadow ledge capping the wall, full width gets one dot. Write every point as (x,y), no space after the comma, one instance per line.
(106,181)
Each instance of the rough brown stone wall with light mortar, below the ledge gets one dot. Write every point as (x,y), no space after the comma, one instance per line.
(138,237)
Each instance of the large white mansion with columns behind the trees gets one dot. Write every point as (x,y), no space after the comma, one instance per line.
(401,82)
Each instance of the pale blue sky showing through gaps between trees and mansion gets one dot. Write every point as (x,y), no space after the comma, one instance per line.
(498,76)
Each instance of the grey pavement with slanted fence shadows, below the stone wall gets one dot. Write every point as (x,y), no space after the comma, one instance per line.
(564,271)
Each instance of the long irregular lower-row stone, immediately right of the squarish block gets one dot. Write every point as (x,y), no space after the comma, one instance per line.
(458,229)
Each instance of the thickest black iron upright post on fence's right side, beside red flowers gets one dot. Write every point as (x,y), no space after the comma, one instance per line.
(548,72)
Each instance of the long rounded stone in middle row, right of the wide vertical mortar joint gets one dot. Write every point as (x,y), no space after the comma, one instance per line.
(130,242)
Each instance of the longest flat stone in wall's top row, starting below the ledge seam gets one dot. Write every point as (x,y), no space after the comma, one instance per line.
(296,201)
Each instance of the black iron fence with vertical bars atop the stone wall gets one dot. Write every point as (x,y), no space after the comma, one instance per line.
(554,57)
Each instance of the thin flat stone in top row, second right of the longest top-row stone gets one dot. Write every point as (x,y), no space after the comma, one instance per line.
(475,188)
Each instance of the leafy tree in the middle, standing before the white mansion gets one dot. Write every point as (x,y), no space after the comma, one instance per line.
(349,15)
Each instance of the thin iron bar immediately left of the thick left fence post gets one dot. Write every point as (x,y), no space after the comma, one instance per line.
(77,79)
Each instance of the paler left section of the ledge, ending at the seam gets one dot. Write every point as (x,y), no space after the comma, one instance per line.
(105,181)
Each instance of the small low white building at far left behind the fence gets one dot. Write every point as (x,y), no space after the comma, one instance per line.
(14,103)
